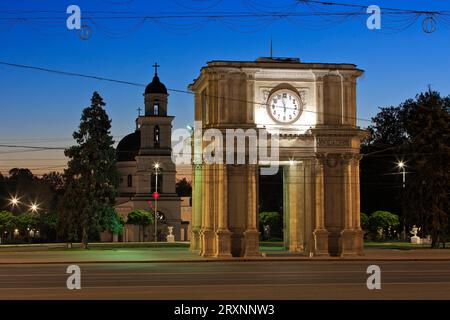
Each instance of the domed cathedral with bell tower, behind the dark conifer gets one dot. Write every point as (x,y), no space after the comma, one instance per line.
(145,165)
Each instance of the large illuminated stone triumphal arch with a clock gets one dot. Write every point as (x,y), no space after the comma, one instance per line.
(311,109)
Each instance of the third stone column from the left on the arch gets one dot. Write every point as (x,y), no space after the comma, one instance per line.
(223,234)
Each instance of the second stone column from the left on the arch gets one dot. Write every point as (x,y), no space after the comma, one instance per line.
(207,232)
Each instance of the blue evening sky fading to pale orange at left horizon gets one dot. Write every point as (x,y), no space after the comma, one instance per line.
(39,108)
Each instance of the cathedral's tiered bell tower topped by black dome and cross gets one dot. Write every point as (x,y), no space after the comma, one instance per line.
(155,128)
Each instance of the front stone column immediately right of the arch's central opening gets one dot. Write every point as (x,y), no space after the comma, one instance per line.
(320,234)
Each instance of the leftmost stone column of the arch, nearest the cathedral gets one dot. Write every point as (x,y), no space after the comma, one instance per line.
(196,220)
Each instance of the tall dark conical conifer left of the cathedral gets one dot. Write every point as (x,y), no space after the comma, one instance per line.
(92,176)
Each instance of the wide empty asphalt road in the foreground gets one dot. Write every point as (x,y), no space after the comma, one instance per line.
(229,280)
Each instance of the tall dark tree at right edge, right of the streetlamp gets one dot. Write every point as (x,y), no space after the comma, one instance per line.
(427,197)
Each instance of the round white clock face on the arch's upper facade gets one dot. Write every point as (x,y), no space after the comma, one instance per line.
(284,106)
